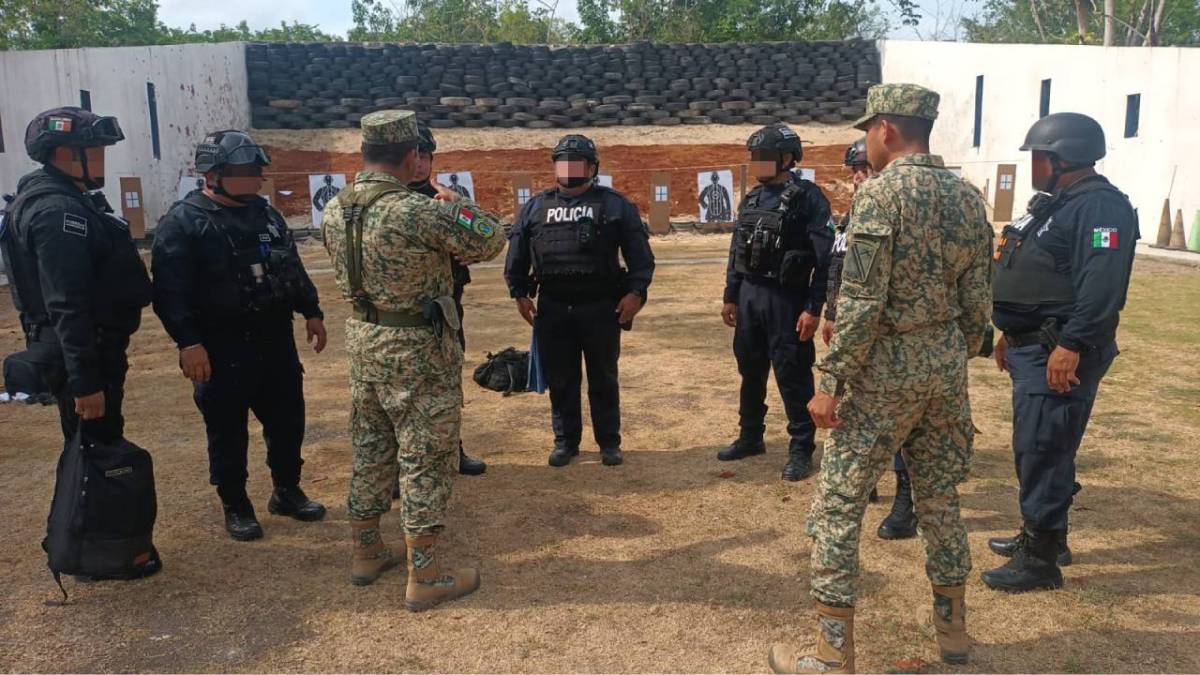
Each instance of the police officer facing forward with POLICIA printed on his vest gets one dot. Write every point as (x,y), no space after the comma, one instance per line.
(571,237)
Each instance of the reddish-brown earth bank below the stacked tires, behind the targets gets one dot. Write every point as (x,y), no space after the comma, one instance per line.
(632,166)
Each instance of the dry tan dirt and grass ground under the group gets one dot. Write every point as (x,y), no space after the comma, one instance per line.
(661,565)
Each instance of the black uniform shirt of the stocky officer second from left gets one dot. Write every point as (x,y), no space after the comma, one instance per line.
(196,289)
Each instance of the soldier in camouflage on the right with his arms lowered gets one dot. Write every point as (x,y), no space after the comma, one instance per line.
(915,303)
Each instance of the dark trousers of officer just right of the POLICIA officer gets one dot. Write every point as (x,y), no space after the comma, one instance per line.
(766,339)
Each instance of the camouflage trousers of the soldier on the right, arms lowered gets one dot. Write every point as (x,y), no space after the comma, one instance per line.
(937,437)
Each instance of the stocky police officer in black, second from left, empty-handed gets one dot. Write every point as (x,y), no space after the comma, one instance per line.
(227,282)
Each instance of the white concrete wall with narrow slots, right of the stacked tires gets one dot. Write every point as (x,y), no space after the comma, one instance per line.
(1094,81)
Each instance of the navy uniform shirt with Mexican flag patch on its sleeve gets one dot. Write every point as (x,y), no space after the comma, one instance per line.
(1093,238)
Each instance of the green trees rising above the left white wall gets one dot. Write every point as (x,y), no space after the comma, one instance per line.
(62,25)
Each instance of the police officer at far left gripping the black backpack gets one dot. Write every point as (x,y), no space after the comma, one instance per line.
(77,280)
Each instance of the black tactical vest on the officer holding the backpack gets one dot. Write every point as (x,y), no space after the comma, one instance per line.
(122,283)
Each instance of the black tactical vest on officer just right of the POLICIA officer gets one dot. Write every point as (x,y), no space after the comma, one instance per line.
(769,243)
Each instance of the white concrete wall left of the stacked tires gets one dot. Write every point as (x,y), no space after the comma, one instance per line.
(200,88)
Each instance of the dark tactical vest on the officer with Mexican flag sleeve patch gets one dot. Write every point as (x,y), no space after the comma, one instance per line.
(1024,272)
